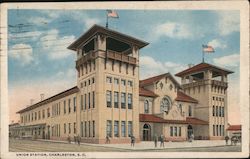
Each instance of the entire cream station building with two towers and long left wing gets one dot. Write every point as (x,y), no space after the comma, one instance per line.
(110,100)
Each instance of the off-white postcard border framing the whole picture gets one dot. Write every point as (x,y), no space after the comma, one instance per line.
(243,6)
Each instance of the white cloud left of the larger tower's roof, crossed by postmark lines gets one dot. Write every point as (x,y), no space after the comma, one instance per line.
(56,46)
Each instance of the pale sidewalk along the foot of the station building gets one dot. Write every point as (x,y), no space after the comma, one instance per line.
(149,145)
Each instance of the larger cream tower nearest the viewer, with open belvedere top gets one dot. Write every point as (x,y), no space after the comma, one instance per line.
(108,78)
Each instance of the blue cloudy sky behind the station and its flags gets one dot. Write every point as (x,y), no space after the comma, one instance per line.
(38,40)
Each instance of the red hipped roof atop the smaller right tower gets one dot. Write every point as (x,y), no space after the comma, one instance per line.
(201,67)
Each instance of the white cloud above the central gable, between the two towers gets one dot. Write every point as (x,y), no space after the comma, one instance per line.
(151,67)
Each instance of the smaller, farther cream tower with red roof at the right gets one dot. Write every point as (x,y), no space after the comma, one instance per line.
(208,84)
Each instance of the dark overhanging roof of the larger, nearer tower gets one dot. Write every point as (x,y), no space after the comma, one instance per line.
(106,31)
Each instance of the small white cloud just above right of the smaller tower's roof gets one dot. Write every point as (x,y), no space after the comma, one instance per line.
(229,60)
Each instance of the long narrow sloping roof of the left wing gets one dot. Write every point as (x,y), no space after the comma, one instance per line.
(51,99)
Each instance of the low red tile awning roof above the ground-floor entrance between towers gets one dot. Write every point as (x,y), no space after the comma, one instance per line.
(155,119)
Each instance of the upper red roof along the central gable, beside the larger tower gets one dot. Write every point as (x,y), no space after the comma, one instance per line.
(151,80)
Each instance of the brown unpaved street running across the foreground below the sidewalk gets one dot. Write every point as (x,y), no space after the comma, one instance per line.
(45,146)
